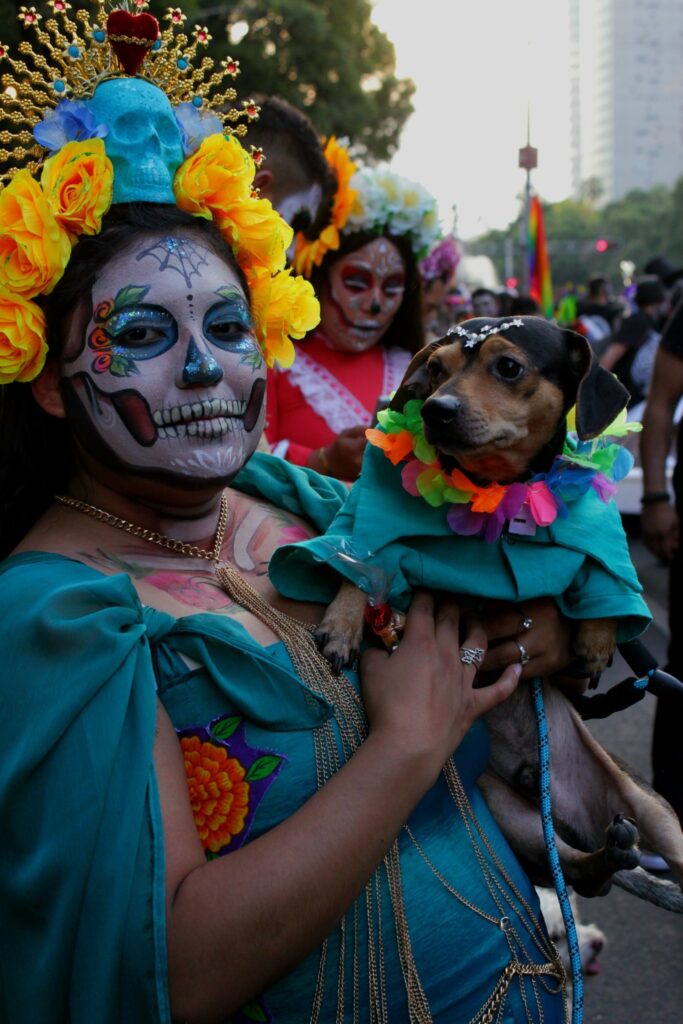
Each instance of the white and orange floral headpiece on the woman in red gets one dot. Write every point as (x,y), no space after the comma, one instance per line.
(378,201)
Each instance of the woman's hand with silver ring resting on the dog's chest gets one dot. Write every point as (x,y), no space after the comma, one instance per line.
(422,697)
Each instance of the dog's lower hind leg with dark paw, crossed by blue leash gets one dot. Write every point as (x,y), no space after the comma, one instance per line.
(589,873)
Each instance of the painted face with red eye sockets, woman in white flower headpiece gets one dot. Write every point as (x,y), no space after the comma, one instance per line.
(363,294)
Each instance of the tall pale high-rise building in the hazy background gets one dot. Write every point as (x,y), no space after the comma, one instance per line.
(626,94)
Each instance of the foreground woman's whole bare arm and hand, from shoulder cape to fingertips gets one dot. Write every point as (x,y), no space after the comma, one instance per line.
(307,872)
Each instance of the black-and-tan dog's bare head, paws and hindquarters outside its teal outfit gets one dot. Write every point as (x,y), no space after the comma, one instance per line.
(496,397)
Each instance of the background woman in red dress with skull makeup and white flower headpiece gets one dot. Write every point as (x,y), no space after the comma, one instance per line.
(370,293)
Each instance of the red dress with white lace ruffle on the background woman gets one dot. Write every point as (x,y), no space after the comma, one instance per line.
(326,392)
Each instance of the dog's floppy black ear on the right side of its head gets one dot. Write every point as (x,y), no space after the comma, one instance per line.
(601,397)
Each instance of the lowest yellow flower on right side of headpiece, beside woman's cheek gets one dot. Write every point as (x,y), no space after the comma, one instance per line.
(283,308)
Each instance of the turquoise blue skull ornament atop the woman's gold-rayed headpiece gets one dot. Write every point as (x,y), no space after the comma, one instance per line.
(144,141)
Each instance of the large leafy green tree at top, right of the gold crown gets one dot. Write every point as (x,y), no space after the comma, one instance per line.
(324,57)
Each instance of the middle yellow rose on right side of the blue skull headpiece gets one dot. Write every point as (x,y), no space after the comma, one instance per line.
(257,233)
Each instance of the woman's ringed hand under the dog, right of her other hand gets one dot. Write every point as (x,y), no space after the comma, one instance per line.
(540,631)
